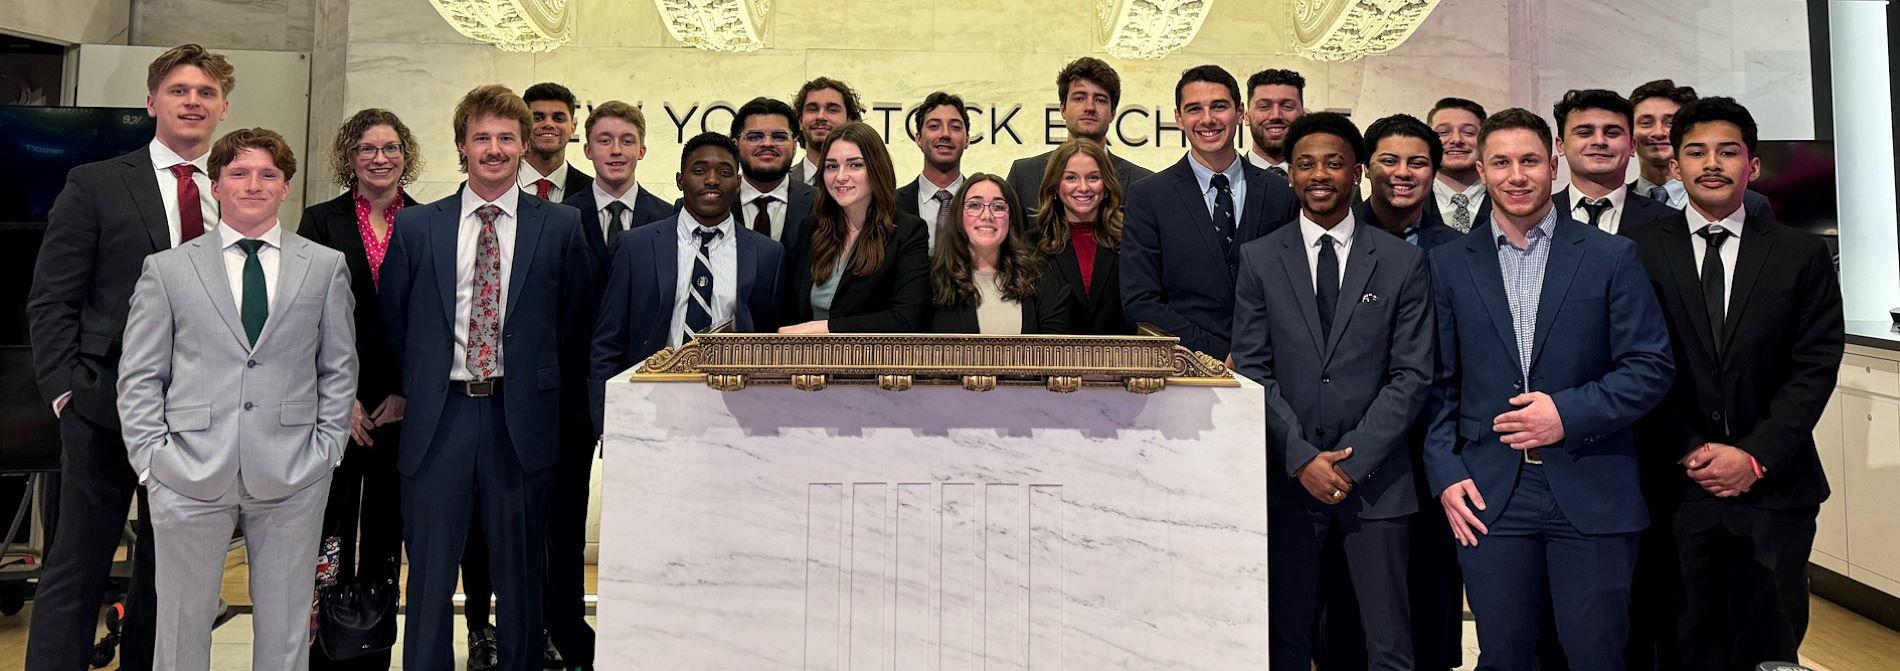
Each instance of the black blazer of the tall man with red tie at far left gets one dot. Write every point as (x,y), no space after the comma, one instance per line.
(104,225)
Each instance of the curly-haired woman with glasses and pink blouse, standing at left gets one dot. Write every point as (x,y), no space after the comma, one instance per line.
(373,159)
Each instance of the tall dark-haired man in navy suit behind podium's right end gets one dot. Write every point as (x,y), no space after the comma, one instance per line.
(1185,223)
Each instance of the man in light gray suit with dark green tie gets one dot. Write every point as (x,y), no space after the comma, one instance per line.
(235,400)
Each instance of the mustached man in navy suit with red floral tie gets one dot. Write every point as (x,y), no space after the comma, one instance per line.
(480,294)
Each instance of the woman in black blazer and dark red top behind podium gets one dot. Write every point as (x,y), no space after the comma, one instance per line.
(1080,235)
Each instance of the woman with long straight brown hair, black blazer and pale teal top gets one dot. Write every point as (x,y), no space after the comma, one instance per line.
(864,267)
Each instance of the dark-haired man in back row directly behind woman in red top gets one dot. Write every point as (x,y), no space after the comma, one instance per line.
(1090,90)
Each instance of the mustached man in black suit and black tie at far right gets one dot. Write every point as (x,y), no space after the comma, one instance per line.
(1755,315)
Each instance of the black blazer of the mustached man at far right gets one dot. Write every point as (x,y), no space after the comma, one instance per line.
(1781,358)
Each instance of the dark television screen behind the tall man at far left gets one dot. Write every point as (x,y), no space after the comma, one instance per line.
(43,144)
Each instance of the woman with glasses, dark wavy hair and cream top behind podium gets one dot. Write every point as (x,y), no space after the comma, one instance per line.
(985,278)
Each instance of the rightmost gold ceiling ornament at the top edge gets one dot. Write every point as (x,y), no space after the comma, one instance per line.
(1356,29)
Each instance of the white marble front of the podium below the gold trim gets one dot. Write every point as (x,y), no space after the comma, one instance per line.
(934,529)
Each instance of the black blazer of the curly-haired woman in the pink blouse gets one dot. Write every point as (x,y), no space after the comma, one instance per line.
(333,225)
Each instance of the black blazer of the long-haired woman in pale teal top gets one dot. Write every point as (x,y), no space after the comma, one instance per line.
(894,299)
